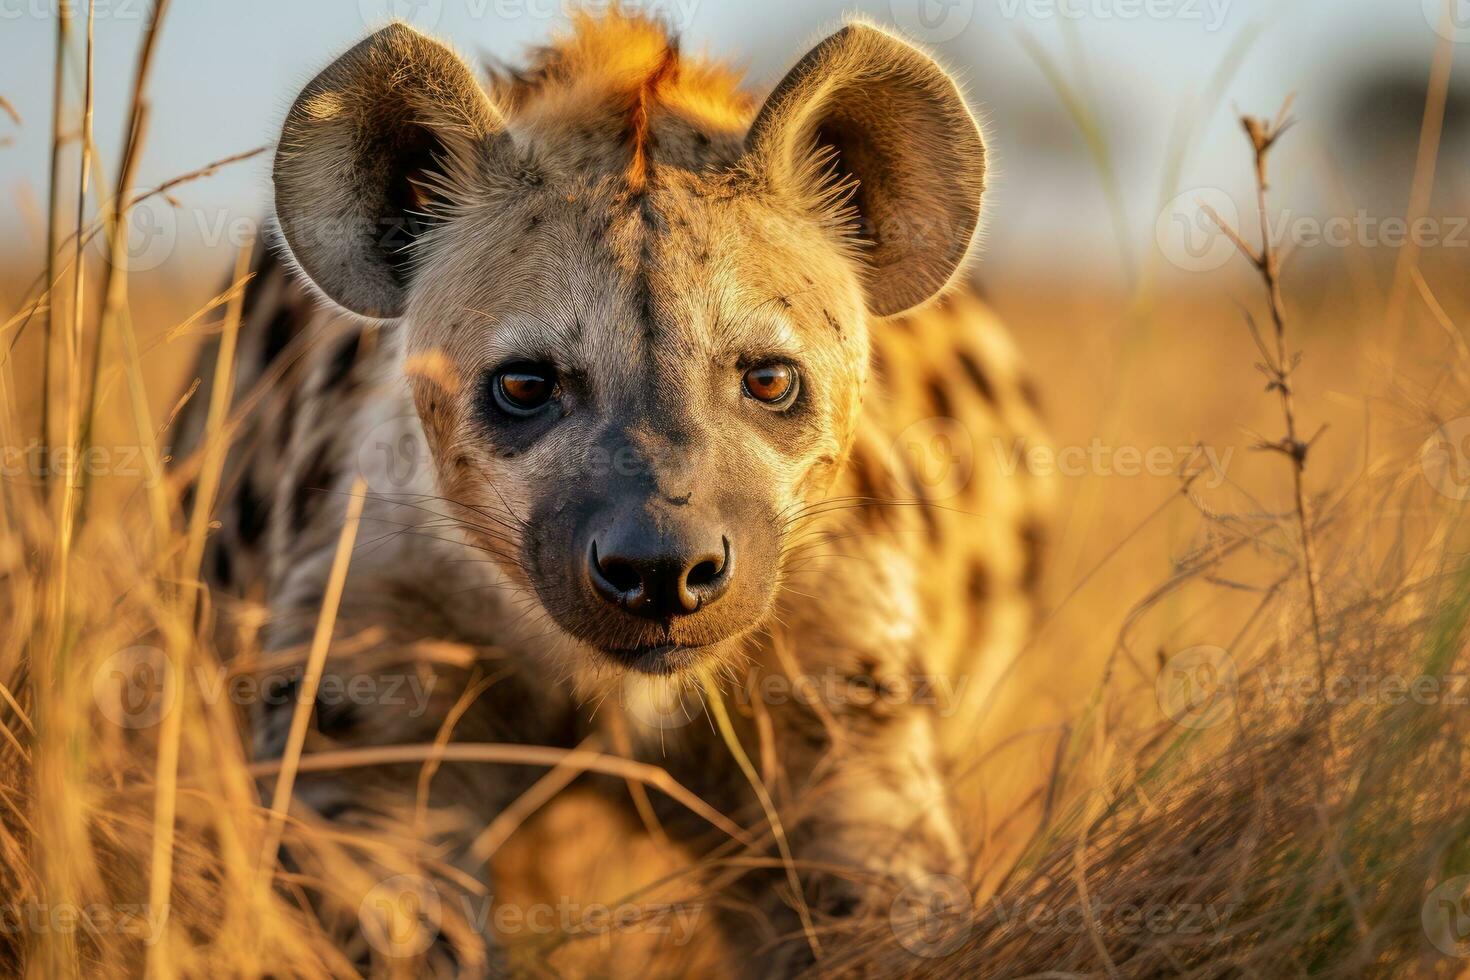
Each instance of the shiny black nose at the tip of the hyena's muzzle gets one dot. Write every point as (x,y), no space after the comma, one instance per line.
(656,581)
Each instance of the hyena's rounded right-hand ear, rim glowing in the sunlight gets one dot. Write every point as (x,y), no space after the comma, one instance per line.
(870,112)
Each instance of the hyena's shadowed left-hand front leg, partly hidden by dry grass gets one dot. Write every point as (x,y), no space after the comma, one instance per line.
(392,857)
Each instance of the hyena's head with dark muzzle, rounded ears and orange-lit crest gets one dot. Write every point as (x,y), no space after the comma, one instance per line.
(633,305)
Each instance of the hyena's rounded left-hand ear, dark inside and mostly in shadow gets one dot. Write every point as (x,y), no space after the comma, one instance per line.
(367,151)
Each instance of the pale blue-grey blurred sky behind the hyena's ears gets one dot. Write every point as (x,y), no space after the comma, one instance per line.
(227,73)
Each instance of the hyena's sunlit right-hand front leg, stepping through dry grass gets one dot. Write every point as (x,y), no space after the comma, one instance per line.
(850,763)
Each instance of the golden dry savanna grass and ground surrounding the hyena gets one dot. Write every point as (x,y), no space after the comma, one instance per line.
(1200,766)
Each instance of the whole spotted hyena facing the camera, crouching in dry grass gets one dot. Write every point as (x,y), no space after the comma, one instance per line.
(661,393)
